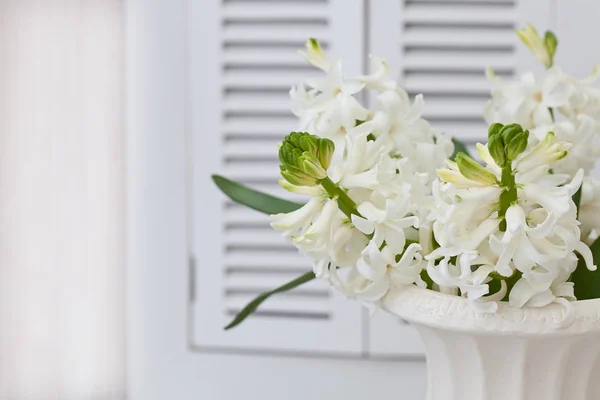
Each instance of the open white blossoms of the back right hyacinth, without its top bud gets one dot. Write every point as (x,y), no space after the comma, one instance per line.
(555,102)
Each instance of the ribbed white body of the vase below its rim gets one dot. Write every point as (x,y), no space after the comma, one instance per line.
(487,367)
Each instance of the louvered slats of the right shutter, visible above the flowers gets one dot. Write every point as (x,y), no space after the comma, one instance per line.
(446,46)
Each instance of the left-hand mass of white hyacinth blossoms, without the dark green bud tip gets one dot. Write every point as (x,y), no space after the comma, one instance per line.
(384,161)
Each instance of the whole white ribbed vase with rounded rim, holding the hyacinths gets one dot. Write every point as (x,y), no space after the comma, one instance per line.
(515,354)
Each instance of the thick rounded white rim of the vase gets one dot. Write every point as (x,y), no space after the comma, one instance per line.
(454,313)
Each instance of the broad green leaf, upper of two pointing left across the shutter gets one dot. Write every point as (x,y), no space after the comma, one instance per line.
(254,199)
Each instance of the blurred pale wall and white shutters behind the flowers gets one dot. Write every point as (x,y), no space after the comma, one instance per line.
(119,260)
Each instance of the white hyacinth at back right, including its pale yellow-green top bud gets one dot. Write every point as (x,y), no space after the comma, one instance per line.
(557,102)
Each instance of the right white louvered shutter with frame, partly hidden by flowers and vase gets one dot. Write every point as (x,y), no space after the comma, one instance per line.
(441,49)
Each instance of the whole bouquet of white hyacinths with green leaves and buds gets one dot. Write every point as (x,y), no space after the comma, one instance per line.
(393,202)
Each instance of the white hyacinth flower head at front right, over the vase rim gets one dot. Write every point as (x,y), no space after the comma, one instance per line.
(533,247)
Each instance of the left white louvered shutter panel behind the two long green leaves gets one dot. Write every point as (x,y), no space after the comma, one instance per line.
(239,112)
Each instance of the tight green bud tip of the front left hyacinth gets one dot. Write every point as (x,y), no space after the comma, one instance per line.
(305,158)
